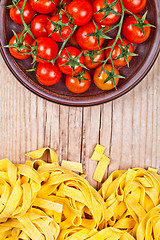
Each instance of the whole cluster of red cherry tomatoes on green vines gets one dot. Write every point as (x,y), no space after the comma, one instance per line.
(84,25)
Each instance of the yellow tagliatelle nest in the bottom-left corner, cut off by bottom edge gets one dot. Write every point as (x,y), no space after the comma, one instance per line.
(33,225)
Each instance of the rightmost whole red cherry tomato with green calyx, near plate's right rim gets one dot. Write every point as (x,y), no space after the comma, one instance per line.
(133,33)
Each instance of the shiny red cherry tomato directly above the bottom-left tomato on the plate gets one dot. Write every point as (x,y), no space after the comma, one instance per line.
(46,48)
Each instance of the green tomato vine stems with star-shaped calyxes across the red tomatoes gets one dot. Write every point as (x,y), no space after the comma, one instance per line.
(99,33)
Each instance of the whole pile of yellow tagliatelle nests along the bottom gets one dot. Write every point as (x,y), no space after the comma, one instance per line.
(46,201)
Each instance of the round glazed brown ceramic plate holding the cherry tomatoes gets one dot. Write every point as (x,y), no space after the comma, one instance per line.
(139,66)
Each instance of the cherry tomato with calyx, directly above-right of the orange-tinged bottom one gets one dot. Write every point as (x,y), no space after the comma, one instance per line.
(117,51)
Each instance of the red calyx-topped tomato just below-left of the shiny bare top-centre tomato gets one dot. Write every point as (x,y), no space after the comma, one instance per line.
(65,31)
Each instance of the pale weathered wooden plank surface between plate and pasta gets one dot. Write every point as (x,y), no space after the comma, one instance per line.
(128,127)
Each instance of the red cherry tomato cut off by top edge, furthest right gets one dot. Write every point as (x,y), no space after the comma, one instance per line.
(135,6)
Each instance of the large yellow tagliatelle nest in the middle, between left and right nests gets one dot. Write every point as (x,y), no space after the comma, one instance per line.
(82,204)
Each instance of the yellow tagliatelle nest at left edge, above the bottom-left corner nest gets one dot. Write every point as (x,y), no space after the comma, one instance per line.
(18,189)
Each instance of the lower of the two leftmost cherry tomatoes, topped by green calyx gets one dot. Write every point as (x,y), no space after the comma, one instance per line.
(14,52)
